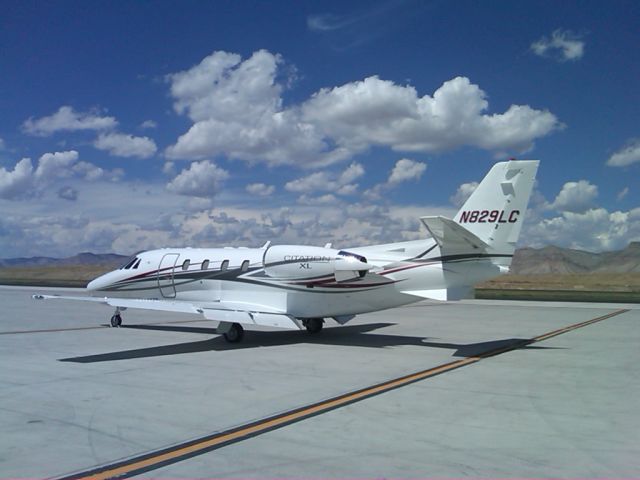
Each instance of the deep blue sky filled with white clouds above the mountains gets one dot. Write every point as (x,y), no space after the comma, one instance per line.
(134,125)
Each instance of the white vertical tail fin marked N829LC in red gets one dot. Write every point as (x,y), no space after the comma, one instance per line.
(495,210)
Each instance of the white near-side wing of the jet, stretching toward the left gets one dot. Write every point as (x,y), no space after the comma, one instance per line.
(233,312)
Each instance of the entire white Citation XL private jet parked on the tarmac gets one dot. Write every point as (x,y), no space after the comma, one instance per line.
(298,286)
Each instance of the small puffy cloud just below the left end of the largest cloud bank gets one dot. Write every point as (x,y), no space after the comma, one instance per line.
(201,179)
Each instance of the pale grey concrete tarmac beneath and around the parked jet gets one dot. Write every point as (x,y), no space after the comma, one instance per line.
(510,401)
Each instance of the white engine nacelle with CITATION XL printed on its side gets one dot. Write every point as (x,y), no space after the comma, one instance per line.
(313,263)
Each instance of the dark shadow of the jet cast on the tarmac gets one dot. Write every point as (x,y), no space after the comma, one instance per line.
(352,335)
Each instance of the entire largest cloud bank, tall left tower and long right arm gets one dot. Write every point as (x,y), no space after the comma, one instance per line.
(238,111)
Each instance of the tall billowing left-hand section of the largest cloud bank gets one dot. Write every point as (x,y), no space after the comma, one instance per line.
(238,111)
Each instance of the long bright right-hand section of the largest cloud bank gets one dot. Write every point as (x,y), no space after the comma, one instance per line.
(379,112)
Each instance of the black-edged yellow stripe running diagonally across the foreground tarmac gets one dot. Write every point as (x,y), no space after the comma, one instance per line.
(154,460)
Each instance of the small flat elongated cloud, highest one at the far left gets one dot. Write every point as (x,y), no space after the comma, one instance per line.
(66,119)
